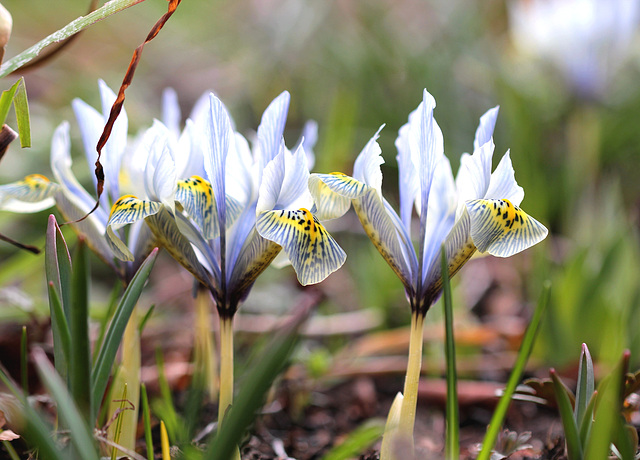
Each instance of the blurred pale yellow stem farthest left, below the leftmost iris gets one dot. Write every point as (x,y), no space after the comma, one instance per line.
(128,376)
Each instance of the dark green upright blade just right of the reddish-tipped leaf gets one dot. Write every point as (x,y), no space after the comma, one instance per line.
(80,362)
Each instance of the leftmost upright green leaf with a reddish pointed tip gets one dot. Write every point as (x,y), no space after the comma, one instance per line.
(58,270)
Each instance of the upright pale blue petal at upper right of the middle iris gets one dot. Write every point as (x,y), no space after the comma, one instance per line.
(271,129)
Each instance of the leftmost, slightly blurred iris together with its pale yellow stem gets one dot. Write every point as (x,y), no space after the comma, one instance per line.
(122,174)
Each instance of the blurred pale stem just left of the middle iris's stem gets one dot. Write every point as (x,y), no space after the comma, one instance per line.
(205,356)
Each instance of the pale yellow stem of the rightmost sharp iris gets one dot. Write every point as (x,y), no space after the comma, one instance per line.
(414,366)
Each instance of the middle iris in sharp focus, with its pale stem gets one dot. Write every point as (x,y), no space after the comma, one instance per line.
(226,243)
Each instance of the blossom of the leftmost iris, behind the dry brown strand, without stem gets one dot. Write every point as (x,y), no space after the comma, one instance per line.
(36,192)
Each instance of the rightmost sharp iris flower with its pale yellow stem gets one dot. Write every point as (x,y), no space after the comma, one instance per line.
(476,211)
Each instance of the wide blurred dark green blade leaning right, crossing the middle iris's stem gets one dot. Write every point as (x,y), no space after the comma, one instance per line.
(264,371)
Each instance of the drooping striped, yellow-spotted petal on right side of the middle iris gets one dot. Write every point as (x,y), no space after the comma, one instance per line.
(313,253)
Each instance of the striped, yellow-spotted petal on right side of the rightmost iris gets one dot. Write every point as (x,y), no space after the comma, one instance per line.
(501,228)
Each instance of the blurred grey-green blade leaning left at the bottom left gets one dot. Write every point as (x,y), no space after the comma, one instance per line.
(80,431)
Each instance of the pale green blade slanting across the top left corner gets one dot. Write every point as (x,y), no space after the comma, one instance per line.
(70,29)
